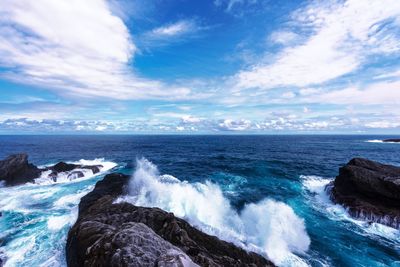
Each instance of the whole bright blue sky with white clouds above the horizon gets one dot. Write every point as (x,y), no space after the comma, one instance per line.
(199,67)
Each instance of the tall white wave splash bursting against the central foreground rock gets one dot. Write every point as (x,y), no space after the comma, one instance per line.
(268,227)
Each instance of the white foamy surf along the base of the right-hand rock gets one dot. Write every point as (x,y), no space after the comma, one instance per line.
(316,186)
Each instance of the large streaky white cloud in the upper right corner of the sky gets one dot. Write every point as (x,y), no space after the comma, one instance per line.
(344,35)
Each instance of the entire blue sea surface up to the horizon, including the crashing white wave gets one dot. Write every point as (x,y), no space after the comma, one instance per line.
(264,193)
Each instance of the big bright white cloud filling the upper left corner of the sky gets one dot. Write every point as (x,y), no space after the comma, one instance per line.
(79,46)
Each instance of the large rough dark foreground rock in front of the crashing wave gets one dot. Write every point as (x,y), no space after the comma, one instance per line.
(108,234)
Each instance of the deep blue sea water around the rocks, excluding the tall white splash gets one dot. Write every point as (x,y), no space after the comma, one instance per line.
(247,169)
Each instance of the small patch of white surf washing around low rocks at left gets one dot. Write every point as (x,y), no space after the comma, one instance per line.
(64,177)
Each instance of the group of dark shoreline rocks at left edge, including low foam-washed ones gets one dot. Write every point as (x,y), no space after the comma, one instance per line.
(16,170)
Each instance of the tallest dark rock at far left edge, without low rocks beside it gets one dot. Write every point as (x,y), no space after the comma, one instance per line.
(16,169)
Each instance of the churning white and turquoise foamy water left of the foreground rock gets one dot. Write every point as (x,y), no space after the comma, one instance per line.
(36,217)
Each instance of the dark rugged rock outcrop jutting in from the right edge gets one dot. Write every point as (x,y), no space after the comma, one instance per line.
(369,190)
